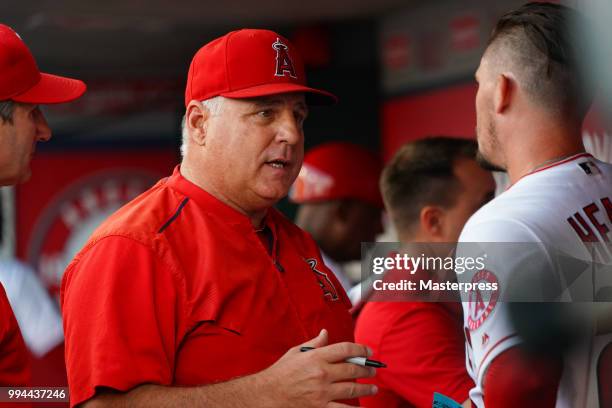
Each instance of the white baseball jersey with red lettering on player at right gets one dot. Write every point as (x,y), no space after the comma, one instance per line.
(568,206)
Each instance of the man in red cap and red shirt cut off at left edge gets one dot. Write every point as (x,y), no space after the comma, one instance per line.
(22,89)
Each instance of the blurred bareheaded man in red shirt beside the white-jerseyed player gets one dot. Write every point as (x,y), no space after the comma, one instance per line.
(430,188)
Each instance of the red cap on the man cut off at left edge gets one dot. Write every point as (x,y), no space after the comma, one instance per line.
(20,79)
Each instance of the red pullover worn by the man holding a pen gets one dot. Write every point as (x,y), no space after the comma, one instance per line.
(176,288)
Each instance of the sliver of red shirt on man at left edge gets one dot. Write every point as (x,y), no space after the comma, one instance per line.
(14,357)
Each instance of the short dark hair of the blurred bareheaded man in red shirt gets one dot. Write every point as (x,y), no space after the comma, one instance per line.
(422,173)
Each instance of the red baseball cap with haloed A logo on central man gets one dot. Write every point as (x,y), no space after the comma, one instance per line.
(248,63)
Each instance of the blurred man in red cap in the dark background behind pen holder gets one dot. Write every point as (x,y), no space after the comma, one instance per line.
(340,201)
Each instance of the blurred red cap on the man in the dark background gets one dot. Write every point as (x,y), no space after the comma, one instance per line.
(338,170)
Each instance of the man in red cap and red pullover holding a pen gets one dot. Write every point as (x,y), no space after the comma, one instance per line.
(199,292)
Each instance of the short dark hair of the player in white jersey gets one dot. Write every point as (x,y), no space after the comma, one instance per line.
(542,42)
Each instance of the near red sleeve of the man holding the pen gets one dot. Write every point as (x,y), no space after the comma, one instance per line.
(120,306)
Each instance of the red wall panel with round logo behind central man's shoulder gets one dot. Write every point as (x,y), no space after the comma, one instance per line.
(70,194)
